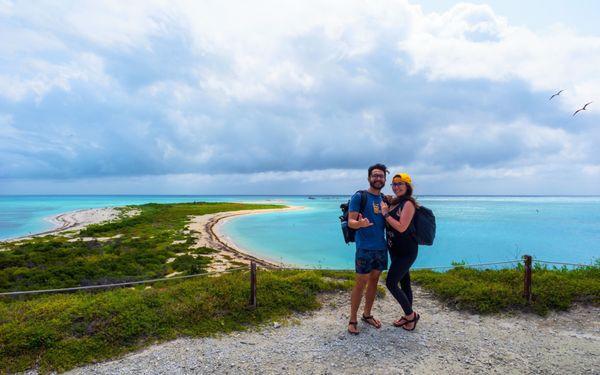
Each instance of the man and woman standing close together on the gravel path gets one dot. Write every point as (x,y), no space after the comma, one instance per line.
(380,218)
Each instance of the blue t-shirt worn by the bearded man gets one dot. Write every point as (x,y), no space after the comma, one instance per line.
(369,238)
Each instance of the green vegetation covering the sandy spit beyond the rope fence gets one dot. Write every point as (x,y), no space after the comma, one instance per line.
(131,248)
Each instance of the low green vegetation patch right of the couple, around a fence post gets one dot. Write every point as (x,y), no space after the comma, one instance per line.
(490,291)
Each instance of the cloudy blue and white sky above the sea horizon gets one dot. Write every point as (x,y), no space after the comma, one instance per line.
(288,97)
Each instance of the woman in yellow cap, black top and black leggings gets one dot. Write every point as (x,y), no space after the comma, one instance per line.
(402,246)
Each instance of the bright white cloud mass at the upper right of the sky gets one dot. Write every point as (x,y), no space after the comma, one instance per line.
(443,46)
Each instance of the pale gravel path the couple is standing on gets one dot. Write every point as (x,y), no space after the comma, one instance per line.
(445,341)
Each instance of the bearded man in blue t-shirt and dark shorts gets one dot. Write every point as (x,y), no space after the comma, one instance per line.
(371,249)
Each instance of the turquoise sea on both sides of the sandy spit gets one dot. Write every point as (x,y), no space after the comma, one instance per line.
(471,229)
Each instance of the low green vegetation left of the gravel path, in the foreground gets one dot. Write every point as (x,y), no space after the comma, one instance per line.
(59,332)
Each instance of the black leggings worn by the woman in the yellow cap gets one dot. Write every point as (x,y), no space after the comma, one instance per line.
(398,274)
